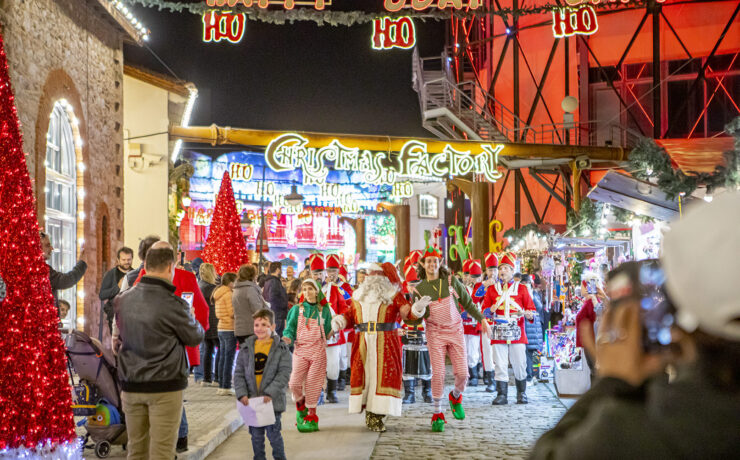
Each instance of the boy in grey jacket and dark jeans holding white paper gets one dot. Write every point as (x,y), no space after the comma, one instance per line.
(262,372)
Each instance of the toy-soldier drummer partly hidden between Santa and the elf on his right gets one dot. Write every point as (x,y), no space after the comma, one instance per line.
(416,361)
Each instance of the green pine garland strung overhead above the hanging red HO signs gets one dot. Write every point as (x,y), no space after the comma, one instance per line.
(351,18)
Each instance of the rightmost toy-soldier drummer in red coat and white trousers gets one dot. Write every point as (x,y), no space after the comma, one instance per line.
(510,303)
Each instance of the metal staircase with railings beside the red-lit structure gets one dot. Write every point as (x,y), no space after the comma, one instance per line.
(462,110)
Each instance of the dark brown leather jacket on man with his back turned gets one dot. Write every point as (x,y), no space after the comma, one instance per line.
(155,326)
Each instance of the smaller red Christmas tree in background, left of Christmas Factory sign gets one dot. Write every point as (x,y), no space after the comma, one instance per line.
(225,246)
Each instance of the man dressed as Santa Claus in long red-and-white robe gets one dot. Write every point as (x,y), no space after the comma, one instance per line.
(377,308)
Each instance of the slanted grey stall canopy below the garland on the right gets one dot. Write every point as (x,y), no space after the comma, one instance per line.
(642,198)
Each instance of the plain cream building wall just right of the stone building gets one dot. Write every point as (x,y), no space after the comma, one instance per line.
(145,178)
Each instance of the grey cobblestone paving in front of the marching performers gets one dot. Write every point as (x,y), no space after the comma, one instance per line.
(490,432)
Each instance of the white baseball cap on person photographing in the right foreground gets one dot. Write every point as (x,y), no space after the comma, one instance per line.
(701,262)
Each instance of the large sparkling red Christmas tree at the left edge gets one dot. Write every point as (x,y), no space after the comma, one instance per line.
(35,398)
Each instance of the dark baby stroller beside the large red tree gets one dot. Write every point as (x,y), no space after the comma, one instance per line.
(97,392)
